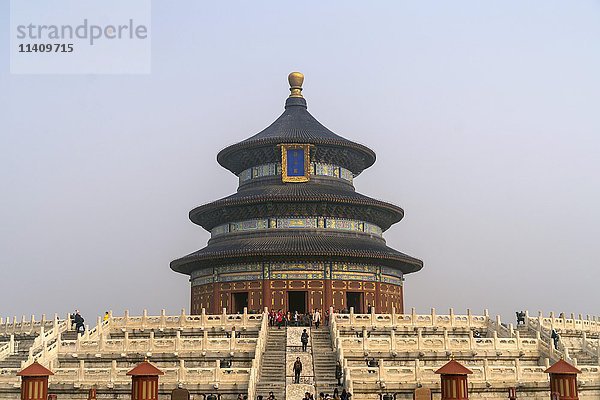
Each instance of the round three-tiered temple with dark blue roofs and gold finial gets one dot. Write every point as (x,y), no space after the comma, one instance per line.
(296,236)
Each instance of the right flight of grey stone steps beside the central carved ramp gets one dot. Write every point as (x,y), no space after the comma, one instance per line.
(324,361)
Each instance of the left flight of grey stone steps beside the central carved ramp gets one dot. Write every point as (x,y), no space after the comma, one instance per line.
(272,370)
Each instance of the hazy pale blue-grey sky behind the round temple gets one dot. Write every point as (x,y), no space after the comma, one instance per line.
(484,117)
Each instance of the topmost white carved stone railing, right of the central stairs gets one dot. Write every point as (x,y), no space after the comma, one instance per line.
(433,319)
